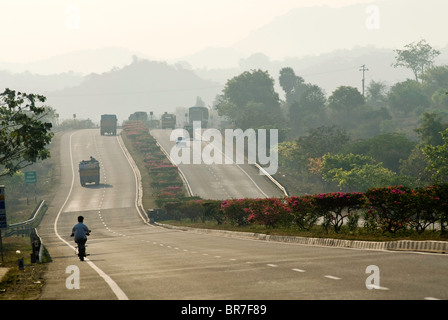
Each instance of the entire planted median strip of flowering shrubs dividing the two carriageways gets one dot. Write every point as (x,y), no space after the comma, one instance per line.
(377,214)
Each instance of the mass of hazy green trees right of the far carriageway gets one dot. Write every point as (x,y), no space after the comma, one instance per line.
(348,140)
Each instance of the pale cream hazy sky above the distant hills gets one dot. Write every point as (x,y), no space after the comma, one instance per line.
(163,29)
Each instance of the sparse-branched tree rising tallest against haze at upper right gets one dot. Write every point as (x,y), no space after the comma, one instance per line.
(416,56)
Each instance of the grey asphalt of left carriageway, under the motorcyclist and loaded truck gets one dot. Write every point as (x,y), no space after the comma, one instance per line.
(130,259)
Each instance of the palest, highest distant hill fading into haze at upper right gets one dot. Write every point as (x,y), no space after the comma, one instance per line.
(320,29)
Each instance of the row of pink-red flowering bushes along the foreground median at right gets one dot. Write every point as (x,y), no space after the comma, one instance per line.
(386,210)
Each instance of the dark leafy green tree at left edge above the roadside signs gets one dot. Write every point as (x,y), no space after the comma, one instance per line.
(23,134)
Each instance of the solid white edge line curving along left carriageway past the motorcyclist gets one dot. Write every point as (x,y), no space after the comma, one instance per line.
(112,284)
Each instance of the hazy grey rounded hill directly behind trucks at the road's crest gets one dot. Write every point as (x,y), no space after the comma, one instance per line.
(142,85)
